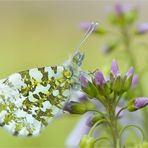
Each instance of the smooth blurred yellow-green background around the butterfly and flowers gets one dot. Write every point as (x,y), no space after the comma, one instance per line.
(36,34)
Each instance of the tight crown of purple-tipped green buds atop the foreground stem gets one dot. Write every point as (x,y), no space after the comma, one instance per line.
(99,88)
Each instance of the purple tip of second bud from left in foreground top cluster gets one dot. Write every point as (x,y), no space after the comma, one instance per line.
(99,78)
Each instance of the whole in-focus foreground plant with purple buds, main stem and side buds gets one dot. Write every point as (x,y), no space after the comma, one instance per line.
(108,91)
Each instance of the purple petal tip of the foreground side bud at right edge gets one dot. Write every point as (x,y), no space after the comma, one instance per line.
(140,102)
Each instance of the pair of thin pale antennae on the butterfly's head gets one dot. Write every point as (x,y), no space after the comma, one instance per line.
(86,35)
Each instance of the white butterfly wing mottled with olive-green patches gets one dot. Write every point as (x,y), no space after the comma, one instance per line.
(29,100)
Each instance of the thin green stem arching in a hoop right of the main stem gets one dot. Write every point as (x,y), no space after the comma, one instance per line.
(132,125)
